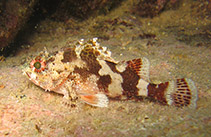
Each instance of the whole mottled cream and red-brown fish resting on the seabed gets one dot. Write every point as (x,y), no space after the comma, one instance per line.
(87,72)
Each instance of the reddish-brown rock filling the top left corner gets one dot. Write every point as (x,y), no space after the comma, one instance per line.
(13,16)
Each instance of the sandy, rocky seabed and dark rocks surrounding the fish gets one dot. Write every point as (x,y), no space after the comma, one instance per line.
(175,35)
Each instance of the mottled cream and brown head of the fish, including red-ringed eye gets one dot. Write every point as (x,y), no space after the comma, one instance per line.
(50,71)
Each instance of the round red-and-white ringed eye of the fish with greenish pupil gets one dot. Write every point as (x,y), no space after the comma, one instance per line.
(38,65)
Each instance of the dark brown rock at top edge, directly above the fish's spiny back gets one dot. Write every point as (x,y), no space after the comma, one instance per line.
(83,9)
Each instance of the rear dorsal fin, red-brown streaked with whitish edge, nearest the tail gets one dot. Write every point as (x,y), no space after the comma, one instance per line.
(141,67)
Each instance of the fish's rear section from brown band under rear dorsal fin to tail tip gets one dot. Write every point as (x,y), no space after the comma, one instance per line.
(179,92)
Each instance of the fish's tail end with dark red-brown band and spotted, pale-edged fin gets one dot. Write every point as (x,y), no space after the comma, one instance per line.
(181,92)
